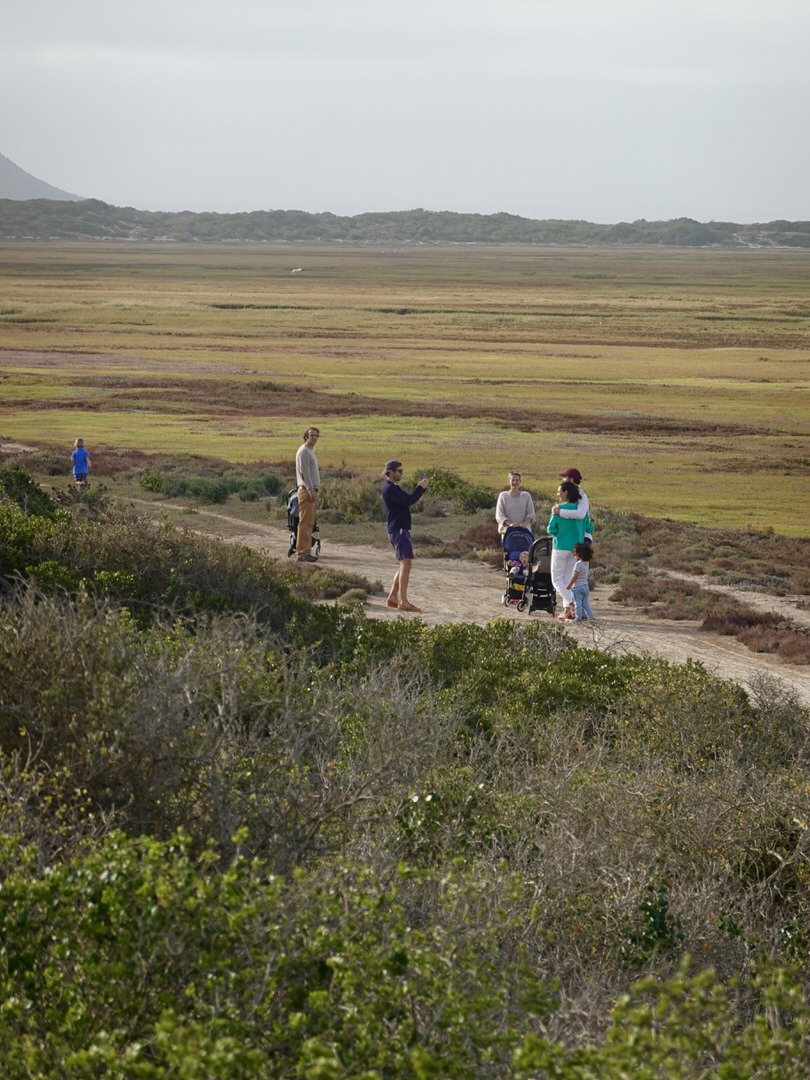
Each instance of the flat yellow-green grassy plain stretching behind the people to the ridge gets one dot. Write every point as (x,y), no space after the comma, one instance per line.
(677,381)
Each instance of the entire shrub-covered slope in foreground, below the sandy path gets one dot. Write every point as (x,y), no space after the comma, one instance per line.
(248,836)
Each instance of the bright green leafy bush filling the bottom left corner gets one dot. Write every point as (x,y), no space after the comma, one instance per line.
(138,960)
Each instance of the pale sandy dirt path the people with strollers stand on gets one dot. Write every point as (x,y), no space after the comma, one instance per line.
(452,591)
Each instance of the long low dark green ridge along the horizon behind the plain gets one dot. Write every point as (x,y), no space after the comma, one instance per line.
(50,218)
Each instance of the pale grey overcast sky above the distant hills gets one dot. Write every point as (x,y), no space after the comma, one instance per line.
(603,111)
